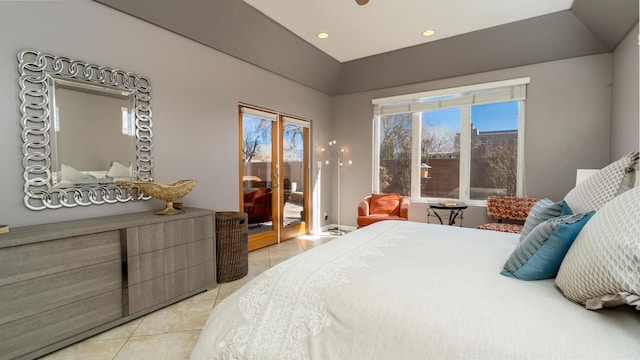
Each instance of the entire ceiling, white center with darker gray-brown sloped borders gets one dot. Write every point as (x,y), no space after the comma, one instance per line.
(379,45)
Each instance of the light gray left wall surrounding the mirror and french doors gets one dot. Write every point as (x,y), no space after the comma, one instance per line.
(195,94)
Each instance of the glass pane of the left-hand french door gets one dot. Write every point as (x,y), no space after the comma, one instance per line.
(257,155)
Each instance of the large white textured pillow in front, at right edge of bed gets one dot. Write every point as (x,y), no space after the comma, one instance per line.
(602,267)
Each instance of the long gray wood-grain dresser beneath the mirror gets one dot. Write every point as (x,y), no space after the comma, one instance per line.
(64,282)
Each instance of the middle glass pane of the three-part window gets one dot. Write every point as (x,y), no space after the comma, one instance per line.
(440,154)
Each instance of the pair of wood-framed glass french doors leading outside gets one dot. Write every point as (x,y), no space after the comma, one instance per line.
(274,175)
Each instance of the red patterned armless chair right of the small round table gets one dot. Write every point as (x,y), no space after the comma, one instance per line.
(508,208)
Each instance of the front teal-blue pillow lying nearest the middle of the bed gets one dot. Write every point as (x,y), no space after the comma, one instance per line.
(540,254)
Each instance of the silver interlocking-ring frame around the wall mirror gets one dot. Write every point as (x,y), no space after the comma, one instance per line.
(38,71)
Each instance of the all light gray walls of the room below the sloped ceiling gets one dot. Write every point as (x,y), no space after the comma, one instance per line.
(196,91)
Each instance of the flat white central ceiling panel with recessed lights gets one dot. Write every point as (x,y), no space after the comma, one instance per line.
(384,25)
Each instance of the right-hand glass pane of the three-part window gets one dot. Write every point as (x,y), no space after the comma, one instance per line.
(494,149)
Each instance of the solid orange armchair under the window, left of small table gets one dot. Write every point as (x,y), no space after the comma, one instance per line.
(378,207)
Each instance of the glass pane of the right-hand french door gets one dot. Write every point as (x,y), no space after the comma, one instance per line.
(293,174)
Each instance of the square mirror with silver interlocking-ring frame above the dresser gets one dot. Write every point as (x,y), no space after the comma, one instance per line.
(85,129)
